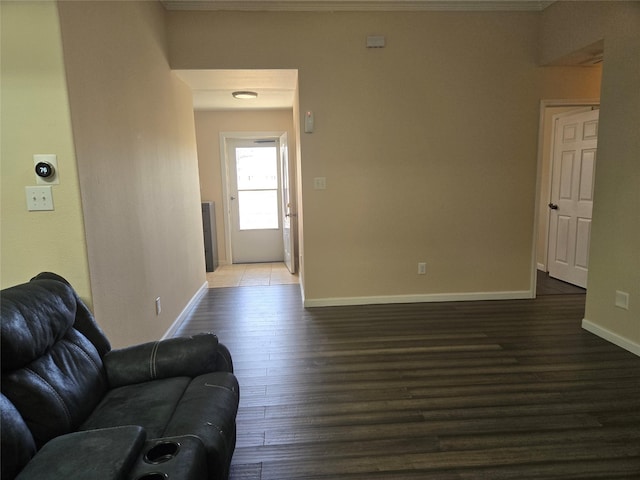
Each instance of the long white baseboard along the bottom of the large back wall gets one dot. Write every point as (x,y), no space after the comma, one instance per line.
(418,298)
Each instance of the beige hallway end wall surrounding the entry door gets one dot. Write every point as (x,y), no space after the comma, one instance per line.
(209,125)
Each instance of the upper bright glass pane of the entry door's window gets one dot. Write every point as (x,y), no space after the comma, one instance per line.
(257,168)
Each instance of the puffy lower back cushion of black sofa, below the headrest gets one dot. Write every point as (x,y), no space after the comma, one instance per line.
(56,392)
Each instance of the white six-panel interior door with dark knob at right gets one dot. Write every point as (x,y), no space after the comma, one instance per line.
(573,174)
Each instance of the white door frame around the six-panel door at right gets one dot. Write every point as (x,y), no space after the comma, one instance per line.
(544,104)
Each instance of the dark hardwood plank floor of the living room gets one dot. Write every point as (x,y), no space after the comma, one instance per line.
(448,391)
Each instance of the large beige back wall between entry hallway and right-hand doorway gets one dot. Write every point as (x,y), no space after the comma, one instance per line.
(428,145)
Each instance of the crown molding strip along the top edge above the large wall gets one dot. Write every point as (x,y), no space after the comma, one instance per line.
(358,5)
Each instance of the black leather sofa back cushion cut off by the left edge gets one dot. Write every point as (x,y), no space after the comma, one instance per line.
(18,445)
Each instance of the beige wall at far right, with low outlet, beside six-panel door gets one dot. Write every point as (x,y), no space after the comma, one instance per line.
(614,261)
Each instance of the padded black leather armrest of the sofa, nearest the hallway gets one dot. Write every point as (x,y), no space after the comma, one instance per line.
(181,356)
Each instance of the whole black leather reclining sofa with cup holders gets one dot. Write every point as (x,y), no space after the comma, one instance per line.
(74,408)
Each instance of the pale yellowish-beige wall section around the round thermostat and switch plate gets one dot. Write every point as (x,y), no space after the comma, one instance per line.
(35,119)
